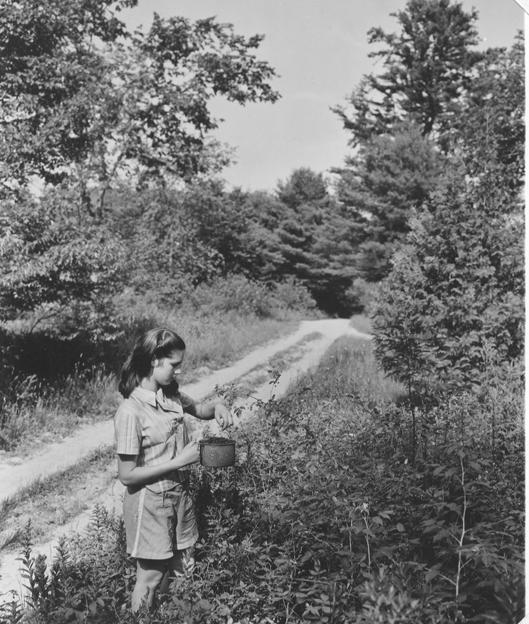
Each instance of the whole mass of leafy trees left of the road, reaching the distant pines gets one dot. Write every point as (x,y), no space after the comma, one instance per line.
(113,129)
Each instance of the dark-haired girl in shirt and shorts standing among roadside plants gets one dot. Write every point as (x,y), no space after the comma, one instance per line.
(154,455)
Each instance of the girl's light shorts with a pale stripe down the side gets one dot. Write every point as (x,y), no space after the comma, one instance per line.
(158,525)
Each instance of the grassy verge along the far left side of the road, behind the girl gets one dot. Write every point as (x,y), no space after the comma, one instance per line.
(51,387)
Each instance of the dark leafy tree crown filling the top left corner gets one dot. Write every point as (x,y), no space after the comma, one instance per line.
(52,67)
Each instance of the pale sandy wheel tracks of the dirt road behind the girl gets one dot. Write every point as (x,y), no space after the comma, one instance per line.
(62,455)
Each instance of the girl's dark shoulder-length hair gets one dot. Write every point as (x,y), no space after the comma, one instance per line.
(155,343)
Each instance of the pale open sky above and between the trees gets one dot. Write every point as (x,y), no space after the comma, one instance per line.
(320,52)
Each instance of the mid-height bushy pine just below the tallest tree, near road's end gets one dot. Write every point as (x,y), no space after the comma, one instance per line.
(388,178)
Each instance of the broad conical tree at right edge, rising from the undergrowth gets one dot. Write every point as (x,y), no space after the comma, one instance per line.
(452,305)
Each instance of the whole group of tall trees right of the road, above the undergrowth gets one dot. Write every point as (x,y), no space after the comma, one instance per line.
(434,195)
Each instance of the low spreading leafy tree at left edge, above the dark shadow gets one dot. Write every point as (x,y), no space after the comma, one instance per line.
(52,269)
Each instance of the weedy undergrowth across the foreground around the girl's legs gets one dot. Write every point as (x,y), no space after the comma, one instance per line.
(330,516)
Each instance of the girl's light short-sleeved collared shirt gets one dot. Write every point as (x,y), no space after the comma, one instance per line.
(151,425)
